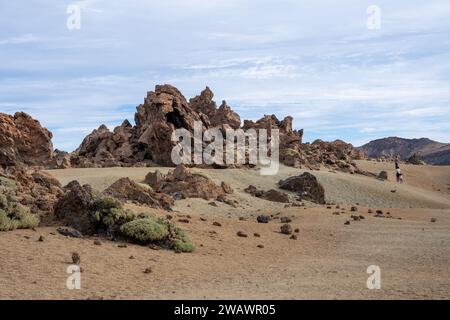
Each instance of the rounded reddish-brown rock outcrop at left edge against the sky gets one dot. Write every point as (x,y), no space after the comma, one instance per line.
(23,141)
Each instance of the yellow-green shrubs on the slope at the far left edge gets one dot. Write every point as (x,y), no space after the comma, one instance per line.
(13,215)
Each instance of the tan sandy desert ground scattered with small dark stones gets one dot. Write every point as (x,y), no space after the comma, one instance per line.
(328,261)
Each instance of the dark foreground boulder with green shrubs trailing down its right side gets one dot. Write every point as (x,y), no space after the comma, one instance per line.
(91,213)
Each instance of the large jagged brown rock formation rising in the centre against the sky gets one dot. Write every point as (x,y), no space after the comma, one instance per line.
(166,109)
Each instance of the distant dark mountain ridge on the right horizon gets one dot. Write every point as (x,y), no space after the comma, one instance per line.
(432,152)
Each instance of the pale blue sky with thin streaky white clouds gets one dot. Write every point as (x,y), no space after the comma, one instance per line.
(318,61)
